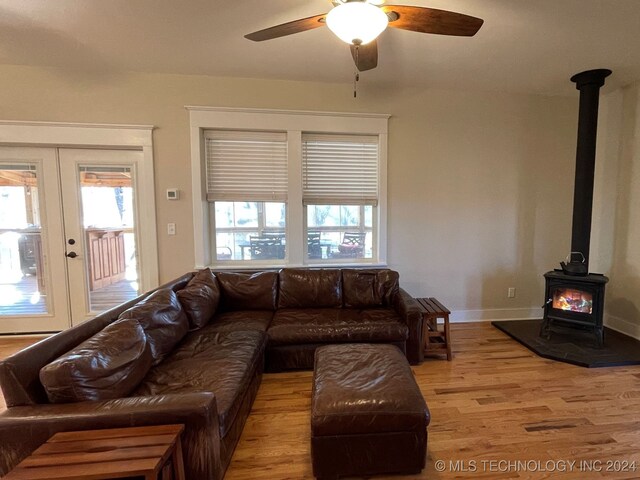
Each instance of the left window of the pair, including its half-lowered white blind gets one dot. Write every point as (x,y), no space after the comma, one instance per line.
(247,186)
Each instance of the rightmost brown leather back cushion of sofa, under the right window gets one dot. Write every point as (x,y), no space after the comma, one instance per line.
(363,288)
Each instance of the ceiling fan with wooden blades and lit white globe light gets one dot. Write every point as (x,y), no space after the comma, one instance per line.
(359,22)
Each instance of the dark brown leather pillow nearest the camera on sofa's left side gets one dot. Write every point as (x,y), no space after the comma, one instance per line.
(108,365)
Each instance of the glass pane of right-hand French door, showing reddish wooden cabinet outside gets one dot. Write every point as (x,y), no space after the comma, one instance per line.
(108,220)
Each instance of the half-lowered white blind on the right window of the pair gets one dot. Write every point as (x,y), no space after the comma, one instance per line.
(340,169)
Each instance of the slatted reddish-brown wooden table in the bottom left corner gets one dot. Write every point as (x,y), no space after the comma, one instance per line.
(106,454)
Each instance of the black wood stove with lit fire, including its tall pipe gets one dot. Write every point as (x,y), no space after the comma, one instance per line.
(573,296)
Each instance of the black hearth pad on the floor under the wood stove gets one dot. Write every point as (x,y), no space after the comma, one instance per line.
(574,346)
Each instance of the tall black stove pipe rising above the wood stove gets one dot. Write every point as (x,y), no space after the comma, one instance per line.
(589,84)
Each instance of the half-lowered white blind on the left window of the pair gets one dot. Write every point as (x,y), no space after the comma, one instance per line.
(246,166)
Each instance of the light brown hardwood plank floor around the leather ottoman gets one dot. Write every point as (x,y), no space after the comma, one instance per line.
(496,402)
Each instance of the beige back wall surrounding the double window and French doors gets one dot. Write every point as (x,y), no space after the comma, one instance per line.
(480,184)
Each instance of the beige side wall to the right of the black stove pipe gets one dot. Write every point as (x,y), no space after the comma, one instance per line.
(616,233)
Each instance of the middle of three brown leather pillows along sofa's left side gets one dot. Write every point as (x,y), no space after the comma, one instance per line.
(163,320)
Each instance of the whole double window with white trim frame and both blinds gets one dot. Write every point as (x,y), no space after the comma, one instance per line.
(288,188)
